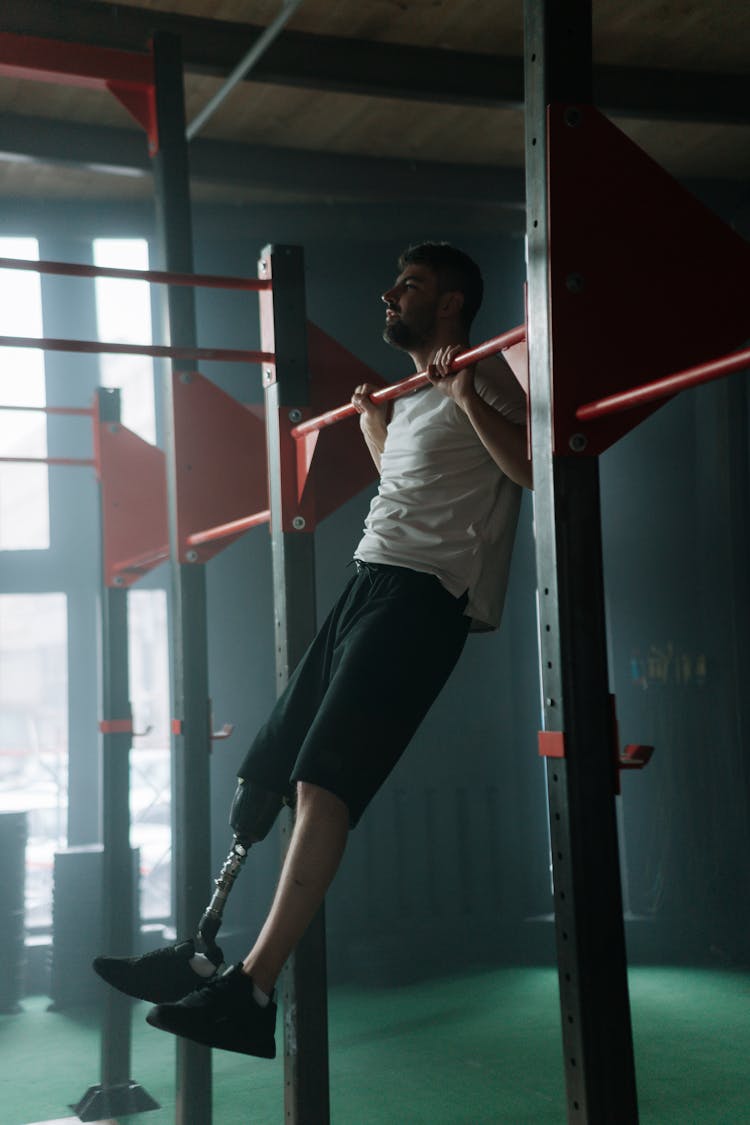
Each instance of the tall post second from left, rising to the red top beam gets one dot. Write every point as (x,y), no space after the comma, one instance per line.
(192,741)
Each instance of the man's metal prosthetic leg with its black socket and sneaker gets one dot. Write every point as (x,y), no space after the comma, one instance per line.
(166,976)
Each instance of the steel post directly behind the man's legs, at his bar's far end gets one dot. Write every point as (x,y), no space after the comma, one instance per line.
(284,331)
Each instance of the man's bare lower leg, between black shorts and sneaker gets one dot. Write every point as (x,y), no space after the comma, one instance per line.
(315,852)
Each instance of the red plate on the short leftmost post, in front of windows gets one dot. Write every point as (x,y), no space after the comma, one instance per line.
(133,502)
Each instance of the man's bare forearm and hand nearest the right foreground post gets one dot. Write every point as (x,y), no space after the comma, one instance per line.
(505,442)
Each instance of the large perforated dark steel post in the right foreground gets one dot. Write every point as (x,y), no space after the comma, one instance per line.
(597,1023)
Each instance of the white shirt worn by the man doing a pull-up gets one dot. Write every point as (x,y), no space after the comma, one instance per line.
(444,506)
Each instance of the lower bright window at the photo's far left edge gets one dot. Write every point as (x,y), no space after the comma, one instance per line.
(34,734)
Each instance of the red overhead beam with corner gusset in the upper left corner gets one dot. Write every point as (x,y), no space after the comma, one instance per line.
(128,75)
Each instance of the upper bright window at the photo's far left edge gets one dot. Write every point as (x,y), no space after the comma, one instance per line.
(24,492)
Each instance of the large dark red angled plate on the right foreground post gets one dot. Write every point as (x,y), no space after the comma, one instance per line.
(645,280)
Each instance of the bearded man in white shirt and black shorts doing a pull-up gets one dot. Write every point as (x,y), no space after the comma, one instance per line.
(433,560)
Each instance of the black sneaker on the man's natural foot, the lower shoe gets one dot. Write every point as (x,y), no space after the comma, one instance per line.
(224,1014)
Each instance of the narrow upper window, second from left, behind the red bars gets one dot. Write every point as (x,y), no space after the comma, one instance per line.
(124,317)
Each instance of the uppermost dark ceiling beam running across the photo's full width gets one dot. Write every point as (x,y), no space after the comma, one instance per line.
(321,62)
